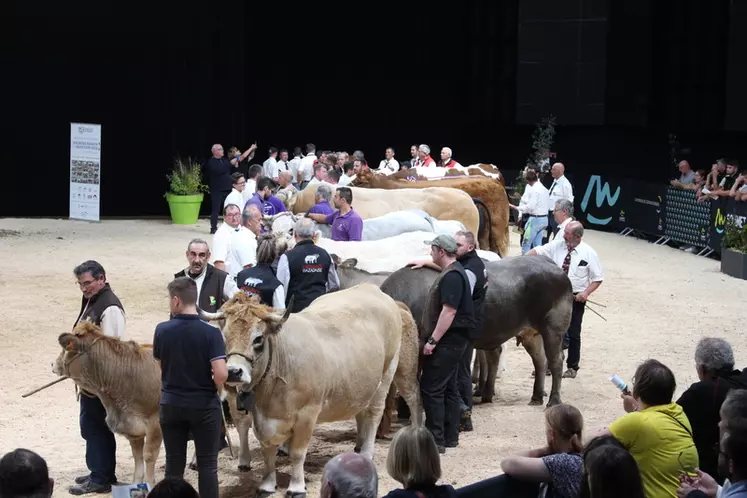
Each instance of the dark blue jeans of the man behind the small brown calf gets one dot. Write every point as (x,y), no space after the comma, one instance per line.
(101,447)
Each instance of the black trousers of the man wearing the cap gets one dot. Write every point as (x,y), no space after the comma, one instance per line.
(438,386)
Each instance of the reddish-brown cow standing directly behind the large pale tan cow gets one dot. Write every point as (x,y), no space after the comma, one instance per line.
(485,192)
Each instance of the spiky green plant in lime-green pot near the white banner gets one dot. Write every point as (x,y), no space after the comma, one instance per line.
(186,191)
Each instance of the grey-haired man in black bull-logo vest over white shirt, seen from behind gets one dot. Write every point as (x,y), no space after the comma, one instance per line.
(307,270)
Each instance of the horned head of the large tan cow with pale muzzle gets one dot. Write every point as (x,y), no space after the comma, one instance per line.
(249,329)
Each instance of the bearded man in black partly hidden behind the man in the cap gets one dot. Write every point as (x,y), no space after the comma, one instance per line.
(478,282)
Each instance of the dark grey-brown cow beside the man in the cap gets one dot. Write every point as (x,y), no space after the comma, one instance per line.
(523,292)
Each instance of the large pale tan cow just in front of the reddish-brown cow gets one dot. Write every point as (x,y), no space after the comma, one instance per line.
(441,203)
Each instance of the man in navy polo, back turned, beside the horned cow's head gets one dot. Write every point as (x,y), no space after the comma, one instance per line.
(192,356)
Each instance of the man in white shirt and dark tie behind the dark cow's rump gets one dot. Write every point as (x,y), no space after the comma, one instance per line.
(581,263)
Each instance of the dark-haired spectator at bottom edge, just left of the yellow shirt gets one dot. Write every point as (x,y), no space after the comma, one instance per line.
(611,472)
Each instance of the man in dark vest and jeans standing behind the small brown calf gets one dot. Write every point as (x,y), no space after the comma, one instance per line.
(101,306)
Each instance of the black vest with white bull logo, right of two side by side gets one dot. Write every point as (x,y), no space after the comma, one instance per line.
(309,268)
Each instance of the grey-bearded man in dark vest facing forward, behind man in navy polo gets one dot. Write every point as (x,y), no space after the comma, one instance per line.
(213,285)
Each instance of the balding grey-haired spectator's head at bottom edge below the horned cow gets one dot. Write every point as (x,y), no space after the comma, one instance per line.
(349,475)
